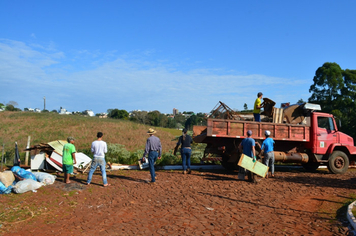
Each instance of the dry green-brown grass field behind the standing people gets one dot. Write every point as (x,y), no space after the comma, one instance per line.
(46,127)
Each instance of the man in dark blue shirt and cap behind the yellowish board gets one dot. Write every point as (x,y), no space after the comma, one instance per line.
(247,146)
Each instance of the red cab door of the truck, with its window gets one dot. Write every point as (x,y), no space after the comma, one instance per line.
(326,134)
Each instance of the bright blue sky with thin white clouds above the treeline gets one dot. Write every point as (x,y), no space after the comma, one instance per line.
(160,55)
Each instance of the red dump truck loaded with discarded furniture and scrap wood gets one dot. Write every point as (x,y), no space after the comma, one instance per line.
(302,135)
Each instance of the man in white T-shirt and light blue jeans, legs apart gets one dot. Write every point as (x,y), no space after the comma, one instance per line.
(98,148)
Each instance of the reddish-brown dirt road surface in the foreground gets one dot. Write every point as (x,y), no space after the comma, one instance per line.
(203,203)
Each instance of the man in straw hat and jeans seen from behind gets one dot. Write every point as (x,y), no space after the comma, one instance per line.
(153,150)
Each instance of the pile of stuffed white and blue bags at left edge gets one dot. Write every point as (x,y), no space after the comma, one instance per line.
(19,180)
